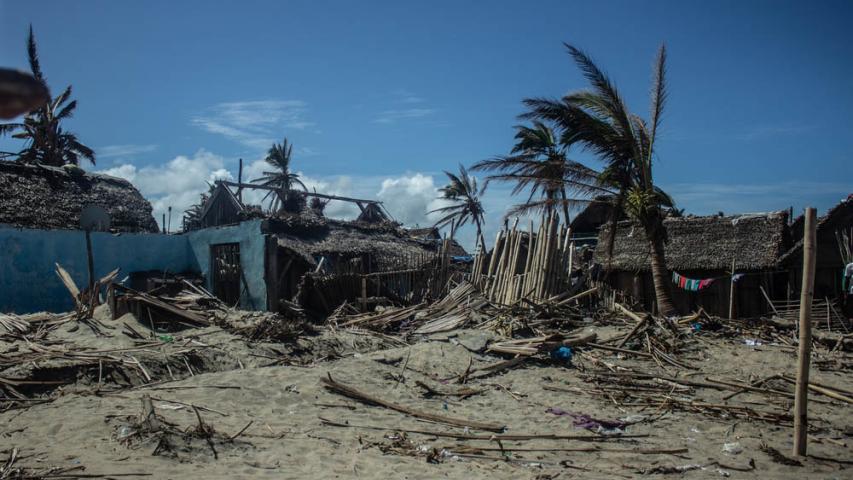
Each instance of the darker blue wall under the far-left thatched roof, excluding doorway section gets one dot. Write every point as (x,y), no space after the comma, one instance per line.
(28,280)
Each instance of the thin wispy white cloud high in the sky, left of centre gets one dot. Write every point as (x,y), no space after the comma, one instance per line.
(256,124)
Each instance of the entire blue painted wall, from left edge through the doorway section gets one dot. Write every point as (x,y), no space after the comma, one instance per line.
(28,280)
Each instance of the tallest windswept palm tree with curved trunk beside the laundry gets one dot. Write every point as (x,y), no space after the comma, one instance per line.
(599,120)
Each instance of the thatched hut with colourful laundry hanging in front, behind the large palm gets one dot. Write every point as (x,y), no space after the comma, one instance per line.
(705,248)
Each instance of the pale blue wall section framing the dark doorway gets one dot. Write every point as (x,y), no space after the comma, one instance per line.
(248,235)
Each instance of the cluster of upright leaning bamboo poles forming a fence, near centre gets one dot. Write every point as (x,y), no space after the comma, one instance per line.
(534,265)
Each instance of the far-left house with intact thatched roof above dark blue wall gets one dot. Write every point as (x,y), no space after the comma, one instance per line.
(40,209)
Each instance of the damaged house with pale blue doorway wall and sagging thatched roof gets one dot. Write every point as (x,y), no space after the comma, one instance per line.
(260,260)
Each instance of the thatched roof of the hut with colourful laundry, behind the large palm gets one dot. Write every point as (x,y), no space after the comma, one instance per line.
(755,241)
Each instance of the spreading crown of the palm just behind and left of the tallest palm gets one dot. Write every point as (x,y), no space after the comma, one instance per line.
(538,162)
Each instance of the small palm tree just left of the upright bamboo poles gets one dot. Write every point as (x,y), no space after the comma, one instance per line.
(463,192)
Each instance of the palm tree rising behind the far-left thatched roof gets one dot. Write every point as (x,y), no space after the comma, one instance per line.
(47,142)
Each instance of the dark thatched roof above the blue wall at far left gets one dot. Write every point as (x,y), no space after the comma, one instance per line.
(44,197)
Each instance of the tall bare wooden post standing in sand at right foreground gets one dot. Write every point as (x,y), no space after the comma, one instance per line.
(806,294)
